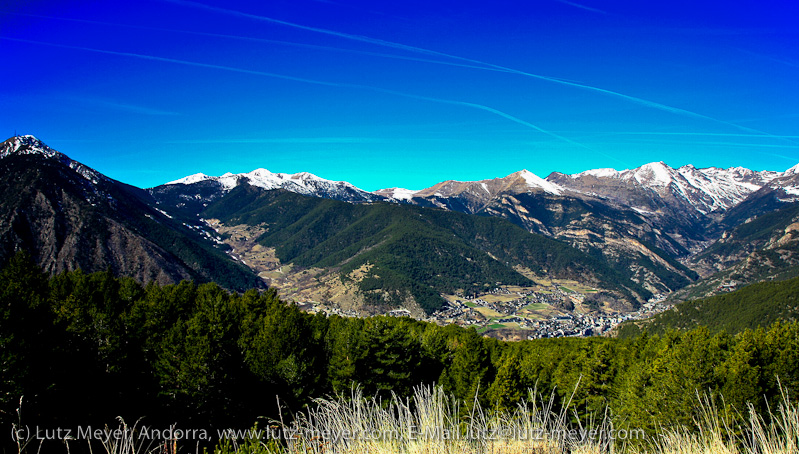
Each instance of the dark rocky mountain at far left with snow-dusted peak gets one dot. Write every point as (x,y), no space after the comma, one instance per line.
(69,216)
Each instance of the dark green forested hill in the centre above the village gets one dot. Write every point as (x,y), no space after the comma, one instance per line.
(408,251)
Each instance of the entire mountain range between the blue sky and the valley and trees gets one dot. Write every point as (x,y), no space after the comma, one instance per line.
(632,233)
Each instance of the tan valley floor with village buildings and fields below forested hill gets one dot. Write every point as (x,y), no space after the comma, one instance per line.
(550,308)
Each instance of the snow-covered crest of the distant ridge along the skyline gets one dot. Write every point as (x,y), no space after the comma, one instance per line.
(691,189)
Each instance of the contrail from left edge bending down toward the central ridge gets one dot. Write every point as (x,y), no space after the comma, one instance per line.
(308,81)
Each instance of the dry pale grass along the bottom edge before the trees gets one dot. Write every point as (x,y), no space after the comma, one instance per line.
(432,422)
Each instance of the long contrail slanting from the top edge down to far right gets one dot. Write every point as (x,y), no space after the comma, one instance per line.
(482,64)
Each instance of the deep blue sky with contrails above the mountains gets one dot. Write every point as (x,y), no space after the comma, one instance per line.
(407,94)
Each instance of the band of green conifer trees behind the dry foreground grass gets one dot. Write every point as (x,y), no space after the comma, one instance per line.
(85,348)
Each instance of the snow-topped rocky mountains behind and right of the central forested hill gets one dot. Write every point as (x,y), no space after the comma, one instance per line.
(644,220)
